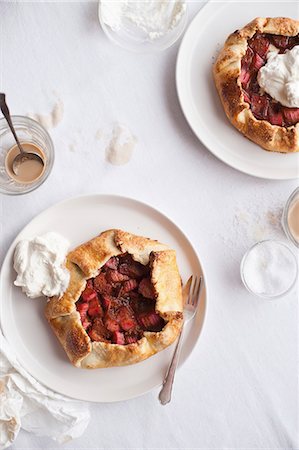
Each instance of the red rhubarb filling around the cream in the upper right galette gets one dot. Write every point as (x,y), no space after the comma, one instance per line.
(262,105)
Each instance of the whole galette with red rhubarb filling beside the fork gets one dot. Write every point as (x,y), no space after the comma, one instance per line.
(123,303)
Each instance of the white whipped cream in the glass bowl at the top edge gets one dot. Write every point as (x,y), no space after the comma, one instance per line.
(155,18)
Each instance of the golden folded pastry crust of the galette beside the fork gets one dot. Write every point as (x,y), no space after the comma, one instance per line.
(85,262)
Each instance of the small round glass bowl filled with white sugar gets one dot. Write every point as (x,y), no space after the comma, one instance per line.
(269,269)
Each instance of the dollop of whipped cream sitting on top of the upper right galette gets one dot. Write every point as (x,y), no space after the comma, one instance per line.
(279,77)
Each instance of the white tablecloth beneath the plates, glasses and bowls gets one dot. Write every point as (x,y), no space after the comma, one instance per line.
(239,388)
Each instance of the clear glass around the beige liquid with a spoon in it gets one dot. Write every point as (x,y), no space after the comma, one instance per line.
(29,131)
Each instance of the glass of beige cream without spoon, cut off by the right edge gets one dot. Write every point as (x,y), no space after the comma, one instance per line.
(290,217)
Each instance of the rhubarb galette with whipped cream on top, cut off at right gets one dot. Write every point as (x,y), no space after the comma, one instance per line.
(257,78)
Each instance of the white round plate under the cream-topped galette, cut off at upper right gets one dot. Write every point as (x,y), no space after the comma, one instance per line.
(198,96)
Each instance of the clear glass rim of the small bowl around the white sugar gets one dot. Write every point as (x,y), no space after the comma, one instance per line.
(292,258)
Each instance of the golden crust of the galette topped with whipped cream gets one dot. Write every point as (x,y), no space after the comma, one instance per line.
(226,71)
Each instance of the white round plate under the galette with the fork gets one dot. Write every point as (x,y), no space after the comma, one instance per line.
(25,327)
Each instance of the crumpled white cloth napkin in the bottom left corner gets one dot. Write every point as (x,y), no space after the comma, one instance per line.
(25,403)
